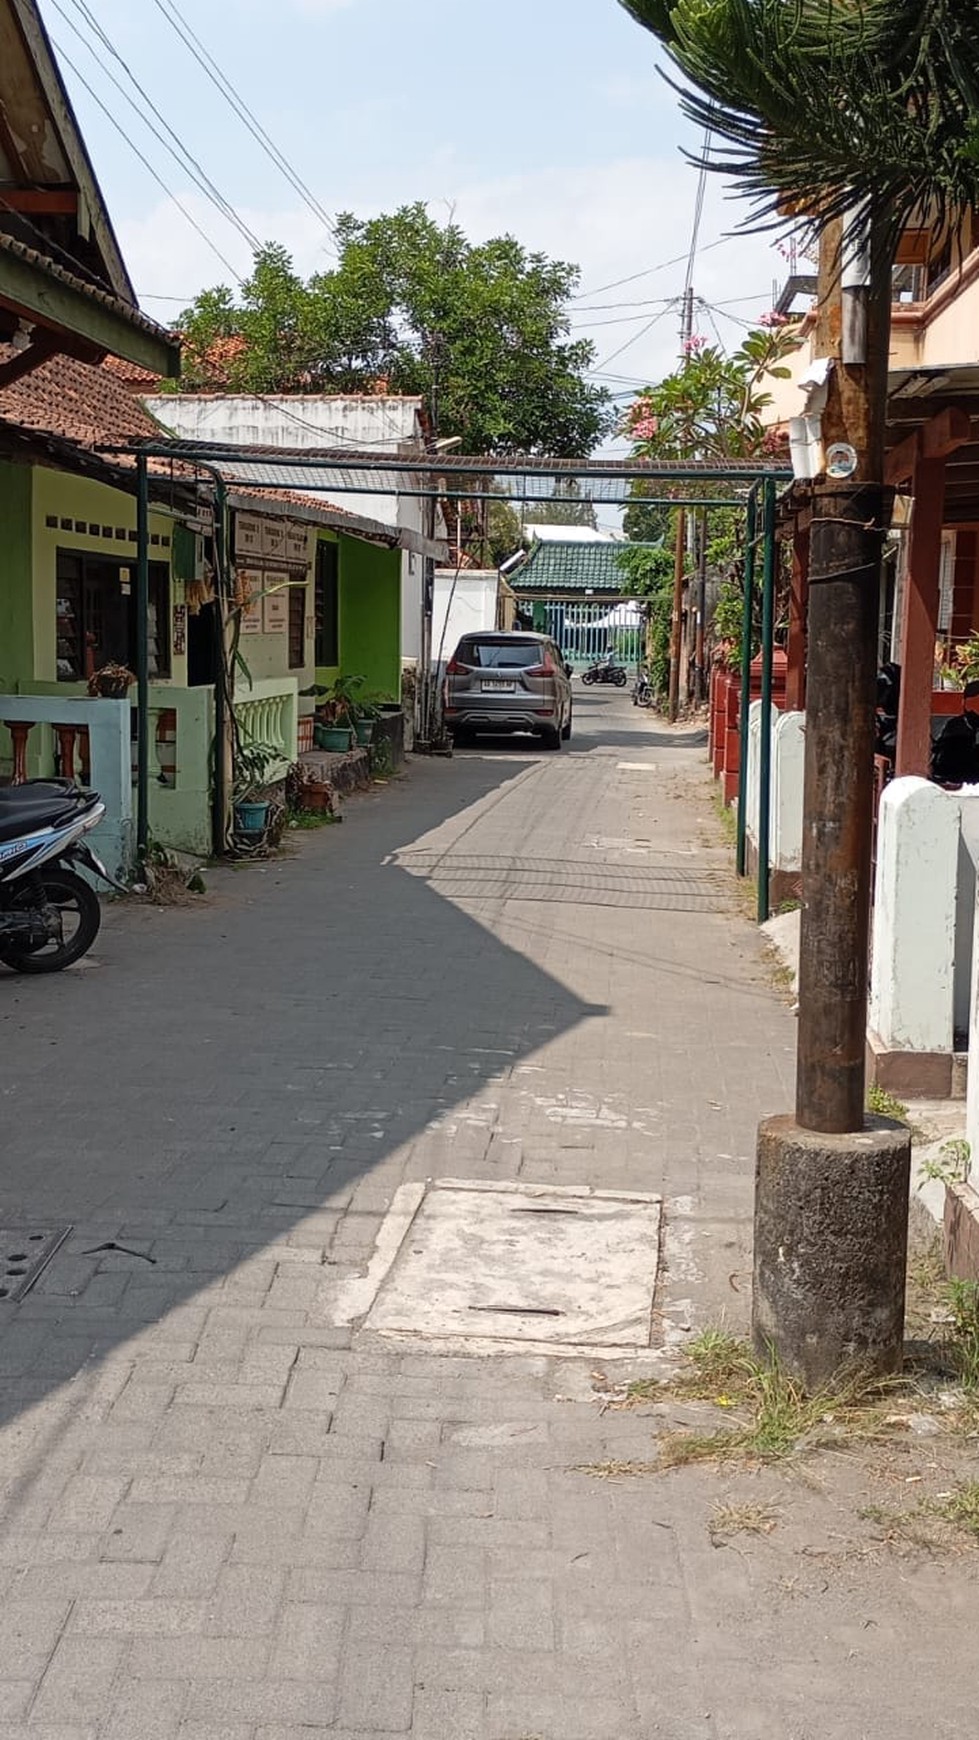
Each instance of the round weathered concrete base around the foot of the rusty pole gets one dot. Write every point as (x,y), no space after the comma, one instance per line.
(832,1248)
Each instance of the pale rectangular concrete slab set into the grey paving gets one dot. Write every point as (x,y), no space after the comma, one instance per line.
(531,1268)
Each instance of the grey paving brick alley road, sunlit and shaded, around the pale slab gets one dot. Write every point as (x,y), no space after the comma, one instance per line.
(229,1518)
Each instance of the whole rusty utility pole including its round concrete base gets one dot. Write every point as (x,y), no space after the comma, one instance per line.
(832,1184)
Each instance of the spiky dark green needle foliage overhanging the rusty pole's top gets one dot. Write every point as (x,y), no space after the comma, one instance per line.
(836,109)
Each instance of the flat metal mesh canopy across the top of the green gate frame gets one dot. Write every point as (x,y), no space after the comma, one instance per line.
(462,478)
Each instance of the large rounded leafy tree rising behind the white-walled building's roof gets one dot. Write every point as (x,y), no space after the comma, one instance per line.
(481,331)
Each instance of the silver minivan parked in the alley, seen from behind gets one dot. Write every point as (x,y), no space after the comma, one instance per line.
(509,681)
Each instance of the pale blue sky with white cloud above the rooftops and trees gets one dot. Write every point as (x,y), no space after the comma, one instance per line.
(543,119)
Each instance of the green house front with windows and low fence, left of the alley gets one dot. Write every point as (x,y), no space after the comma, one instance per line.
(317,596)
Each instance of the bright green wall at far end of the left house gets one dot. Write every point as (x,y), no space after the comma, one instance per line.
(371,615)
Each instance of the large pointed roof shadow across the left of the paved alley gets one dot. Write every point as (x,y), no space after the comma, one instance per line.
(220,1074)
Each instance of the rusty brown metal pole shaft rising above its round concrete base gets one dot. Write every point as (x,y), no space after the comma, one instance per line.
(849,525)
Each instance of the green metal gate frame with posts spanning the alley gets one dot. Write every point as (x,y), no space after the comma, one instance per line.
(448,478)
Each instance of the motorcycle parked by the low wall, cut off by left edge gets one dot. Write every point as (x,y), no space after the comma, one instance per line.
(50,916)
